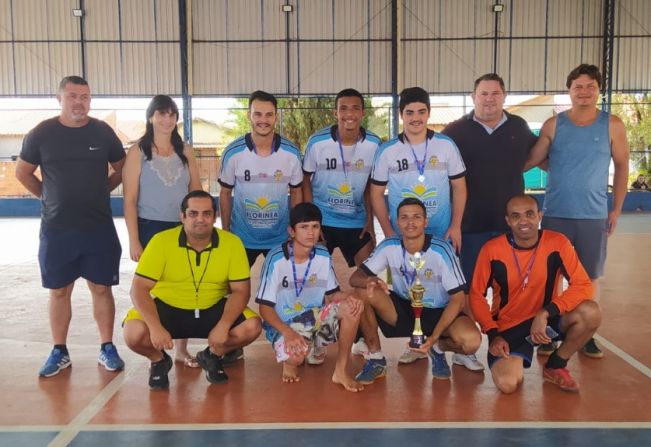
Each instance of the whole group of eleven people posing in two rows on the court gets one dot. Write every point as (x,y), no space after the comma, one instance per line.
(455,202)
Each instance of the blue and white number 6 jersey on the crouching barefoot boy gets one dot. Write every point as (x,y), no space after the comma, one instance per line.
(278,289)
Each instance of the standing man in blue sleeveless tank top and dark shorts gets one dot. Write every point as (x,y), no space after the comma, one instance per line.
(578,145)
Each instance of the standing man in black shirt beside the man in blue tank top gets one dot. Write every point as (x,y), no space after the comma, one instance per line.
(494,145)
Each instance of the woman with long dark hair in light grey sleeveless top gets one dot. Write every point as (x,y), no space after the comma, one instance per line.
(160,169)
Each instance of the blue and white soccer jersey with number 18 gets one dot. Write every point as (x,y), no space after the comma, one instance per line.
(396,166)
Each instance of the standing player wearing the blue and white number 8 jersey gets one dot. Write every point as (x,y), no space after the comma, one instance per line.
(257,171)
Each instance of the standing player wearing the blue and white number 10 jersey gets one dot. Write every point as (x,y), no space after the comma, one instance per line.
(336,167)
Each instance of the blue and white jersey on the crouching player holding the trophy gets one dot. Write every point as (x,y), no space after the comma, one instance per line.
(441,275)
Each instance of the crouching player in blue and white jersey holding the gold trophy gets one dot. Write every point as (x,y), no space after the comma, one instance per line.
(443,322)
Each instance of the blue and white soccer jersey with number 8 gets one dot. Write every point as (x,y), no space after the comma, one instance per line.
(260,213)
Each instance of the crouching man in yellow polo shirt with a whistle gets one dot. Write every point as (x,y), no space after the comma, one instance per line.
(179,291)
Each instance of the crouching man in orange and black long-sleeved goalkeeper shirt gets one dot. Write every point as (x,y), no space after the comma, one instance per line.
(522,267)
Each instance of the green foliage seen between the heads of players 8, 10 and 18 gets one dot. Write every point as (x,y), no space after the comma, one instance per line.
(298,118)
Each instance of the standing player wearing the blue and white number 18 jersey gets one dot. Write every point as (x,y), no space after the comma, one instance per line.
(422,164)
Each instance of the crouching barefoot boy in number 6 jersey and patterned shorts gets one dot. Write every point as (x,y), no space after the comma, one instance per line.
(301,304)
